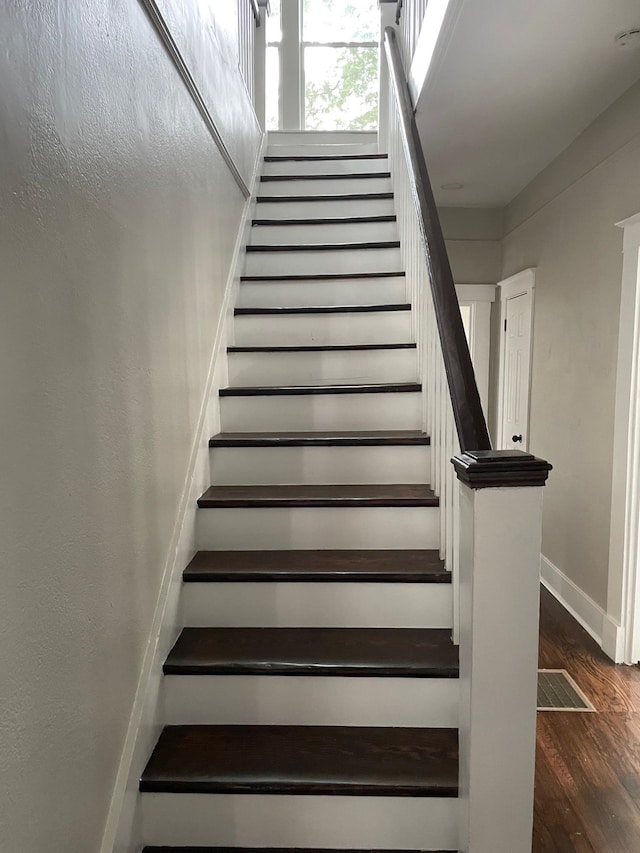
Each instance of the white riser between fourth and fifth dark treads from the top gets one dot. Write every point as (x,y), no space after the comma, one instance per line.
(353,232)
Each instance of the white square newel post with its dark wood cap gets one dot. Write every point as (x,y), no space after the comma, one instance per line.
(500,537)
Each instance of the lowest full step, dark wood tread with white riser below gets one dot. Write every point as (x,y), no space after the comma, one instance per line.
(302,786)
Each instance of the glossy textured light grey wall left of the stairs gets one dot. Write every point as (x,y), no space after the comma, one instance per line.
(117,224)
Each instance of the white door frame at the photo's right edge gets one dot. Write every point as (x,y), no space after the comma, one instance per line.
(621,625)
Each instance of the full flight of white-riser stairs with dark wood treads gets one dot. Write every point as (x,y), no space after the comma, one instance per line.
(311,700)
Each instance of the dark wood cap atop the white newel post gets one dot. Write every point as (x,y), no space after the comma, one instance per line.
(494,469)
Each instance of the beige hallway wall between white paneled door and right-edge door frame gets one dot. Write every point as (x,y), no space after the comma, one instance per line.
(563,224)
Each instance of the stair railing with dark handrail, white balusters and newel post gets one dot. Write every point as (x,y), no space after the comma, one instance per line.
(491,511)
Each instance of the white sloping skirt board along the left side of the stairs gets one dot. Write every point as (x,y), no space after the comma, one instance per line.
(121,832)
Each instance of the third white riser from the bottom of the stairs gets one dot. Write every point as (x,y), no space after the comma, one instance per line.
(283,604)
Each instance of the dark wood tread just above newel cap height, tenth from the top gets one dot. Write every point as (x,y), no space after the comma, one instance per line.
(355,438)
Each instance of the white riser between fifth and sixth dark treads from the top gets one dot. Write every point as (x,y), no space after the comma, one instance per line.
(315,262)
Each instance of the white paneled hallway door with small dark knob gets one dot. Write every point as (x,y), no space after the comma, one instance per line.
(516,354)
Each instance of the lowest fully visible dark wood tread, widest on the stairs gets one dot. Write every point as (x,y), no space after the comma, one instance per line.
(334,760)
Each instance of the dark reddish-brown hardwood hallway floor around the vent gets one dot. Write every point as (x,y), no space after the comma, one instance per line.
(588,765)
